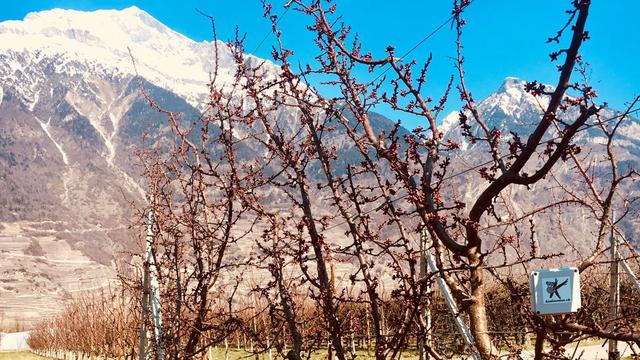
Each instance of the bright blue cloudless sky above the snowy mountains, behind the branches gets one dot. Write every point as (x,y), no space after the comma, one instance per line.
(503,38)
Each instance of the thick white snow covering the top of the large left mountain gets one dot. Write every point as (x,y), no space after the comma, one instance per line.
(102,39)
